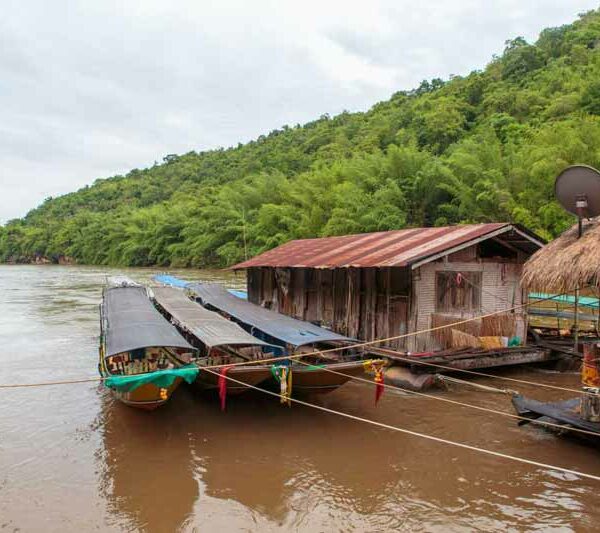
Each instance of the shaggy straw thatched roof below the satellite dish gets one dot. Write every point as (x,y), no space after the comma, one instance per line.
(567,263)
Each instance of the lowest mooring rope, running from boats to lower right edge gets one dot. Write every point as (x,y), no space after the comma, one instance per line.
(421,435)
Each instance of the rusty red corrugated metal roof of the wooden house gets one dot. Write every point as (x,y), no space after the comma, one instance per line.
(399,248)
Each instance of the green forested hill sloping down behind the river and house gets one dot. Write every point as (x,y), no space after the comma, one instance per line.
(478,148)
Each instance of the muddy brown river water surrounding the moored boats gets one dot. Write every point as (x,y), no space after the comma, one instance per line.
(72,459)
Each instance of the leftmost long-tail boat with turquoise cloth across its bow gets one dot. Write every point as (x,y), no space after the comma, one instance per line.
(143,358)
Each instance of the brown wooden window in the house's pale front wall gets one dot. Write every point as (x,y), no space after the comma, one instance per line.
(457,291)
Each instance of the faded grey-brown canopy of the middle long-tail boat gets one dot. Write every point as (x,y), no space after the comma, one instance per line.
(210,327)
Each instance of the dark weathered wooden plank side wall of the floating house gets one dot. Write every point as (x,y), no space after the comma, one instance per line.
(366,303)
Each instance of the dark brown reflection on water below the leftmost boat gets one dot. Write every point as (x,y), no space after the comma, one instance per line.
(146,466)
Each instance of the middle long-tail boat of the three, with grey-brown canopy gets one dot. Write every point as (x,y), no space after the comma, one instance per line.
(220,342)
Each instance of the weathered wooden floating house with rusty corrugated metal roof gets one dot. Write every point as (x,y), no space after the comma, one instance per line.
(385,284)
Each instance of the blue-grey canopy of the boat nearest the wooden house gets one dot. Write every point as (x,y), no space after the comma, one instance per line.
(282,327)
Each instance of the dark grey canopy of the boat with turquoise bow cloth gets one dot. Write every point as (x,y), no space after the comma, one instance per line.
(132,322)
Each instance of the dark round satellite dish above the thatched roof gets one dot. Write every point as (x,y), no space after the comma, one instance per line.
(577,189)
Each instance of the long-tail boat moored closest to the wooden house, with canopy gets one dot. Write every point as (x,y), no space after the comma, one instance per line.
(314,371)
